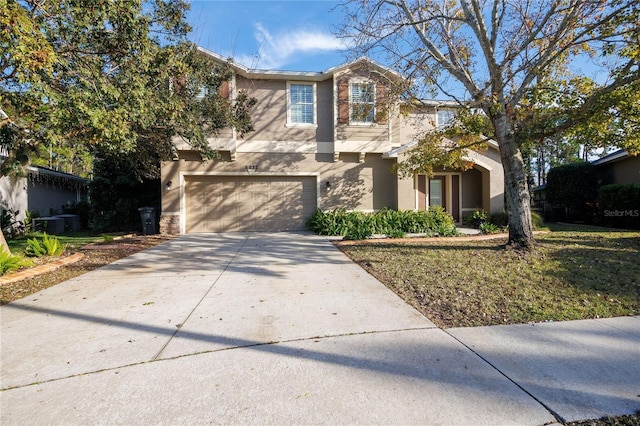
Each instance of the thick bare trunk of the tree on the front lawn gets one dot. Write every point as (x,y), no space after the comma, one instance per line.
(515,182)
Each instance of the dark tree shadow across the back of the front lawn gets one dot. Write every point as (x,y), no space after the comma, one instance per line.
(595,266)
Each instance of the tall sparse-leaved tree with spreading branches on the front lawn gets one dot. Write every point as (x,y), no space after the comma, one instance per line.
(498,52)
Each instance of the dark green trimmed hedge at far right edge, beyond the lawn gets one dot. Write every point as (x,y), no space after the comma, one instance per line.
(619,205)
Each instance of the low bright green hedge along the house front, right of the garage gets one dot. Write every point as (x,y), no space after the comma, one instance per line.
(354,225)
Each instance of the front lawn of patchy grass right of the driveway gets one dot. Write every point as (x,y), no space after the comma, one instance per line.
(574,272)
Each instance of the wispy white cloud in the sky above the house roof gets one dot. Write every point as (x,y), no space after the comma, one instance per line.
(276,50)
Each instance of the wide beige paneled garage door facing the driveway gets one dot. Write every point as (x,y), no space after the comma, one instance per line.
(249,203)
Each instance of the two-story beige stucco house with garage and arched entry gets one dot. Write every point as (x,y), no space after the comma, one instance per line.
(322,140)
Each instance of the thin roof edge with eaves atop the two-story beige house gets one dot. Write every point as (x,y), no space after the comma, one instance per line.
(300,75)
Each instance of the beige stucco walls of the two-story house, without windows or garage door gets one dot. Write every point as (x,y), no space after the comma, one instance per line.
(345,158)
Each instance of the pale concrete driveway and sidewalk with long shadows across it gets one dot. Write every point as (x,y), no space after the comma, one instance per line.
(284,329)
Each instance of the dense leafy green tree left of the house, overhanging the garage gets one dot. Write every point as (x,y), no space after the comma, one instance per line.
(108,79)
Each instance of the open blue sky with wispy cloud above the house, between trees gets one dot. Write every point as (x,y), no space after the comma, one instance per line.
(293,35)
